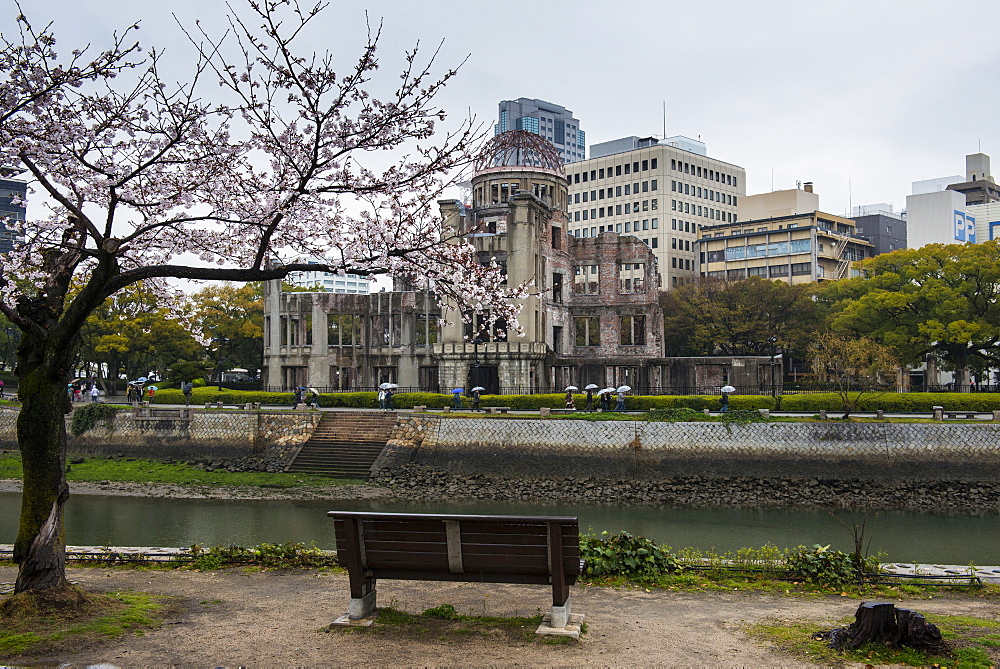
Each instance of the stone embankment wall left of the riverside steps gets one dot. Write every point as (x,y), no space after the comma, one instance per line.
(246,440)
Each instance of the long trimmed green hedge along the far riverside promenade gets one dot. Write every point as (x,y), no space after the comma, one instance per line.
(891,402)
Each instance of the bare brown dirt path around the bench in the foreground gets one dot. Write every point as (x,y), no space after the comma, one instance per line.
(235,618)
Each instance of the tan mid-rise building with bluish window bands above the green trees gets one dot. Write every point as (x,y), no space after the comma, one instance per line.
(782,235)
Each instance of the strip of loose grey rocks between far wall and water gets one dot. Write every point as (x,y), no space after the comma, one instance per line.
(427,483)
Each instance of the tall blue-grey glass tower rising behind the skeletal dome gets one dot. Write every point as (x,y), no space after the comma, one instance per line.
(553,122)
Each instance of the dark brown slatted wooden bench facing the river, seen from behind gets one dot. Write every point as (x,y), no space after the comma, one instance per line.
(430,547)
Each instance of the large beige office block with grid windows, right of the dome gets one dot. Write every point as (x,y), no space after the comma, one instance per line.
(663,192)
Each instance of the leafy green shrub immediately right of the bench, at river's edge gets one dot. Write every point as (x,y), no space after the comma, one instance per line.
(625,555)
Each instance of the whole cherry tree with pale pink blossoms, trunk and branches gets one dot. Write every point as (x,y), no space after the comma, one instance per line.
(148,180)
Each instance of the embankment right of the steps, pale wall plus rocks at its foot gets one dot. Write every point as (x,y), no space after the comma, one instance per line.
(879,465)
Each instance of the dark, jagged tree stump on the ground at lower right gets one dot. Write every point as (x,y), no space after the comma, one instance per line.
(882,622)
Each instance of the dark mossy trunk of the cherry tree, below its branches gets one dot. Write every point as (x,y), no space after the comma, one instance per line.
(40,549)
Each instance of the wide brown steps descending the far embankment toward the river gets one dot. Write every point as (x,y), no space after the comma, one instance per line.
(345,444)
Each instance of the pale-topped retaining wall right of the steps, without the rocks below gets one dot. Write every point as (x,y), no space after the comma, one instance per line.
(654,451)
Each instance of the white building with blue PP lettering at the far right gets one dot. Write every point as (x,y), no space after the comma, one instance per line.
(950,210)
